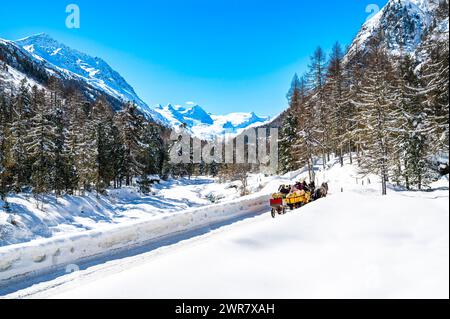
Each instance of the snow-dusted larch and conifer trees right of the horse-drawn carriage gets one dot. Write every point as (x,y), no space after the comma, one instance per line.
(389,110)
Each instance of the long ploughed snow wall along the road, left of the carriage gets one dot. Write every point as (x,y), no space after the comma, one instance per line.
(41,256)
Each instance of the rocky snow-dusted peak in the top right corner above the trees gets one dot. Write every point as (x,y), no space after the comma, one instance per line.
(404,25)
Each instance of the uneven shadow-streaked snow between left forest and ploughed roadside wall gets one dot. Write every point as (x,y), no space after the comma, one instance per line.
(73,214)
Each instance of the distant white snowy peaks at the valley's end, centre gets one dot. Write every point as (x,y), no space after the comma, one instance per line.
(205,125)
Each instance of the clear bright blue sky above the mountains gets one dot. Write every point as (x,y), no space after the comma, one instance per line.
(226,55)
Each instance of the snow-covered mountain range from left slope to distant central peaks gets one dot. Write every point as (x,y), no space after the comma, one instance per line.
(40,56)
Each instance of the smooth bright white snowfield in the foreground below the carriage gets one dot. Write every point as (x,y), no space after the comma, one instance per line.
(353,244)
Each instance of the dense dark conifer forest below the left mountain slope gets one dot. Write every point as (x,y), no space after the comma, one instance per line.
(52,141)
